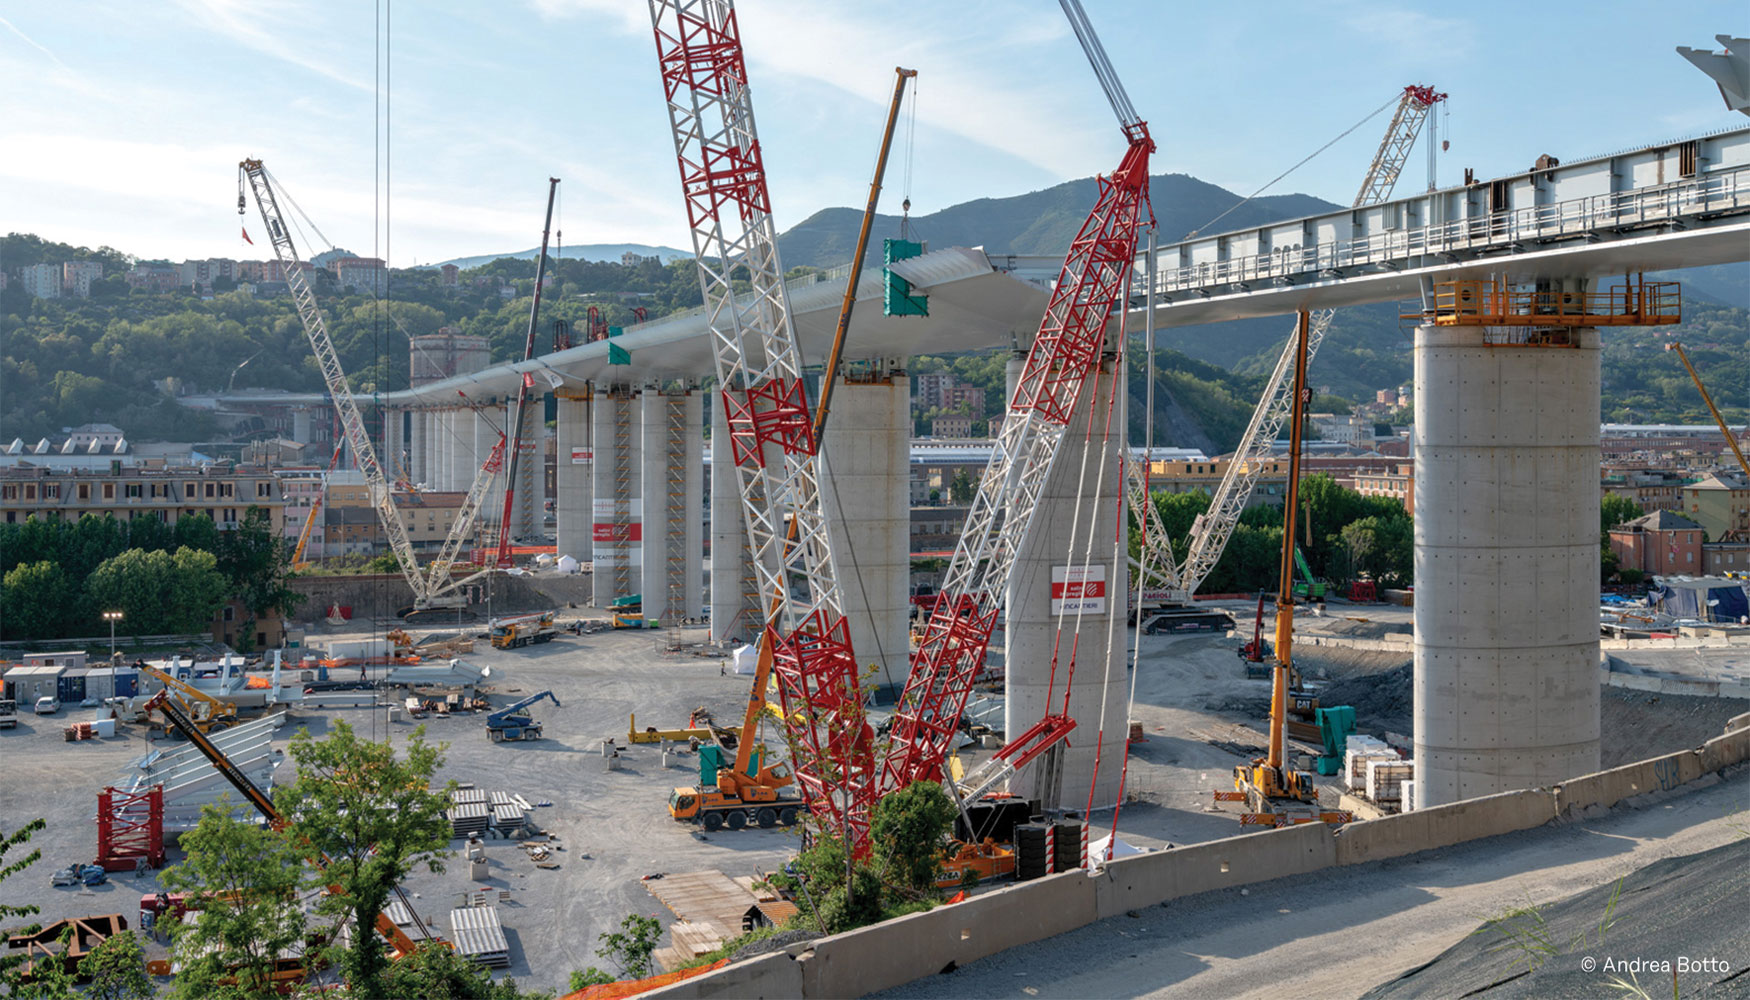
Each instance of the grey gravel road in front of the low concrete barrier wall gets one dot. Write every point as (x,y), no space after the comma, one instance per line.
(1345,931)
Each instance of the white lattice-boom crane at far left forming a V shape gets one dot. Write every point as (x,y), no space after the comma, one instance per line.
(433,589)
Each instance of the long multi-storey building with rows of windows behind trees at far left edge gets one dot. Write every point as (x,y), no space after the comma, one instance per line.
(220,491)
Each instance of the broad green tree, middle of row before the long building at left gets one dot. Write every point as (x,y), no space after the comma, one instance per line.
(178,593)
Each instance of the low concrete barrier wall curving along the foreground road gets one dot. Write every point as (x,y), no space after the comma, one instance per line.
(923,945)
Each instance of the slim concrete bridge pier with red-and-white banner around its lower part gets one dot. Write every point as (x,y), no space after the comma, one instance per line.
(619,495)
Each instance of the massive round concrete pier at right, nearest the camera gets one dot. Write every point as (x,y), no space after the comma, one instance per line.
(1506,563)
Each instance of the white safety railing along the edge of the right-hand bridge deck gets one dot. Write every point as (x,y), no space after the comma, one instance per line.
(1625,211)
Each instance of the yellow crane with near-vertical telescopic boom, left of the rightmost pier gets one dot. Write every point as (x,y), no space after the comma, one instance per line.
(1275,794)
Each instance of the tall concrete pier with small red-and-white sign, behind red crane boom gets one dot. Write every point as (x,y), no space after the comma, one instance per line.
(1074,546)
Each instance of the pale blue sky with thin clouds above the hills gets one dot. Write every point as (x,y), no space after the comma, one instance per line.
(125,122)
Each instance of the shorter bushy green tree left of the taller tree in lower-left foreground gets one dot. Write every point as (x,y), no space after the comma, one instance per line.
(241,880)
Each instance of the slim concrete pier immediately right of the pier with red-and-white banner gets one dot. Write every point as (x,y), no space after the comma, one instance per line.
(673,432)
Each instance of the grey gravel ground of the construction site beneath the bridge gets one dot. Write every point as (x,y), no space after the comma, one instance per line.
(1200,714)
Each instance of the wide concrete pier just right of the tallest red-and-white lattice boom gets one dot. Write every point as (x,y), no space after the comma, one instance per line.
(865,493)
